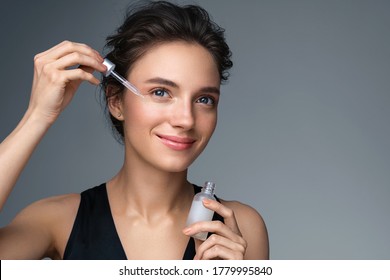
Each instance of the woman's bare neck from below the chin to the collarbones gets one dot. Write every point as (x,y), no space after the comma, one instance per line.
(140,189)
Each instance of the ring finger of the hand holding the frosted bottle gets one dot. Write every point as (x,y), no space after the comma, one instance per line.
(214,240)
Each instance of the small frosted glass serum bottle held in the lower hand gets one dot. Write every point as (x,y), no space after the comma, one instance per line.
(200,213)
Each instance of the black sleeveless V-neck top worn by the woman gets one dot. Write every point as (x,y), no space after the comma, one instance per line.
(94,236)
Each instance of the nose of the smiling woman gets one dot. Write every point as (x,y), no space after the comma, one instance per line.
(183,115)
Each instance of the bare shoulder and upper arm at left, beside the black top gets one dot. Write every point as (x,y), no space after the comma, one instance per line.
(40,229)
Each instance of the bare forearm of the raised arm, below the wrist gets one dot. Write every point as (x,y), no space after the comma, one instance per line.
(16,150)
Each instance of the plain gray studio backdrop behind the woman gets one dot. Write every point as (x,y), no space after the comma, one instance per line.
(303,133)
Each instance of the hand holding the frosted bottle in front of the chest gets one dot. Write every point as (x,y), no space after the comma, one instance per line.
(226,242)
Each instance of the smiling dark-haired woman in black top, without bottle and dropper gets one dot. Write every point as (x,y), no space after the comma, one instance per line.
(177,57)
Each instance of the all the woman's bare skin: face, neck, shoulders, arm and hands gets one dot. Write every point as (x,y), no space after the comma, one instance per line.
(164,133)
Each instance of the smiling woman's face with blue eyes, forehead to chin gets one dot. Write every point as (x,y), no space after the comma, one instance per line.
(173,123)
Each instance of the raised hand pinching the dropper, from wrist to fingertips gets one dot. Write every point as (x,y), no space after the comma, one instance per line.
(58,72)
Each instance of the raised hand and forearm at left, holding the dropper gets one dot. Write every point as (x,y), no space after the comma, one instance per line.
(58,73)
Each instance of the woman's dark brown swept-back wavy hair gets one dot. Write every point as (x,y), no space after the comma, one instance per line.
(155,23)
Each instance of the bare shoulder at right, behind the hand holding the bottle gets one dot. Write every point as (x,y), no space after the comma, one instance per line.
(252,227)
